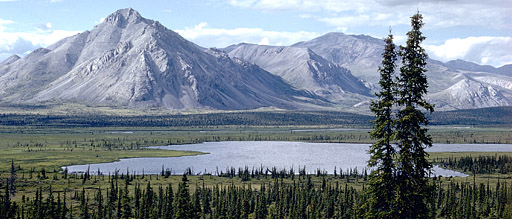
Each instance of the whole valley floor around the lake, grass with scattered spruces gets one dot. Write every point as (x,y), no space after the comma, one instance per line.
(39,151)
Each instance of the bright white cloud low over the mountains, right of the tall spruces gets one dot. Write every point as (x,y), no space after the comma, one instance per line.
(485,50)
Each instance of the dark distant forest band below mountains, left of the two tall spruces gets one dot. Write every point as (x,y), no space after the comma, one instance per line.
(278,118)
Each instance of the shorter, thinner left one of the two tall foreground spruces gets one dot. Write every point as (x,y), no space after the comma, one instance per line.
(381,190)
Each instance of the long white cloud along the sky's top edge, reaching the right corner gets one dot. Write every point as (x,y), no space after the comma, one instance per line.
(437,13)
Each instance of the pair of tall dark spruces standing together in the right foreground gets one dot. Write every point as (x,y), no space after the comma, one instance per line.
(398,185)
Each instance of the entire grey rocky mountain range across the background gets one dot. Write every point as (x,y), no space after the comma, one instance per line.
(133,62)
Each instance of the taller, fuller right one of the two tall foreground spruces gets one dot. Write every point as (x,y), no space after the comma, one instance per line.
(413,167)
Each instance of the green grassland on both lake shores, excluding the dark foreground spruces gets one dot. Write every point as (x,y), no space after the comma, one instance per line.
(39,152)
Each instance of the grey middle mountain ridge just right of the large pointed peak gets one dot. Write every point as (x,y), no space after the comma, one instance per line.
(305,70)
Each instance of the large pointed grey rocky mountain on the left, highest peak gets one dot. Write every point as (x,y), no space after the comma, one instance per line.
(131,61)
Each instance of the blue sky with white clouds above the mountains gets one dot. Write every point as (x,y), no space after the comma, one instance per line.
(472,30)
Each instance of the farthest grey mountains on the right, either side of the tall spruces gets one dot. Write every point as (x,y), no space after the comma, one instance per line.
(453,85)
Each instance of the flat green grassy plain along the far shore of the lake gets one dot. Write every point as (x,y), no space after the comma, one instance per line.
(52,148)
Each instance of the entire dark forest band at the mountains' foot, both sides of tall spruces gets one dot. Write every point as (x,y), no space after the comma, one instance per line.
(495,116)
